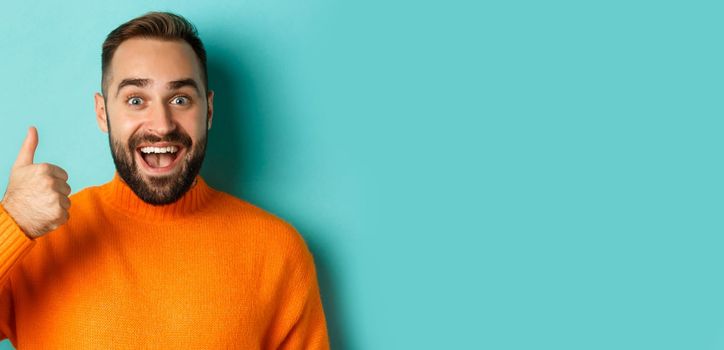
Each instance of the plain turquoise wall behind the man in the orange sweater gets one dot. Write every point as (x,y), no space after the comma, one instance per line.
(468,175)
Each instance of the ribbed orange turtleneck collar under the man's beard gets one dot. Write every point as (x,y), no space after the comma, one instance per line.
(120,195)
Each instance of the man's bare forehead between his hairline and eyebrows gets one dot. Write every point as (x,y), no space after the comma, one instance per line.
(159,60)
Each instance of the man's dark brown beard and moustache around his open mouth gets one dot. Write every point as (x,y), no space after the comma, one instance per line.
(158,190)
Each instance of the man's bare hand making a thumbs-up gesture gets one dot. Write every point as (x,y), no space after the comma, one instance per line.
(37,194)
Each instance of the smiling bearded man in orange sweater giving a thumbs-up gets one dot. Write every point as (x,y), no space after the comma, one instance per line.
(154,258)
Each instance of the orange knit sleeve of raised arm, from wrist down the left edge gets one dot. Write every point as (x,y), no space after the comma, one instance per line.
(14,245)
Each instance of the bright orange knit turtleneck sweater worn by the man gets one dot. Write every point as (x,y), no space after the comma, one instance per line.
(210,271)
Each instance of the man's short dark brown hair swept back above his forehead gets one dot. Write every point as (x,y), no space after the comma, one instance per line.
(154,25)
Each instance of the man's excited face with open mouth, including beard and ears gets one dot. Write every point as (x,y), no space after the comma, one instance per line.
(157,114)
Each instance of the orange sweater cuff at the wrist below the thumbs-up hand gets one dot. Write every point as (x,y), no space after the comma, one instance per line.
(14,243)
